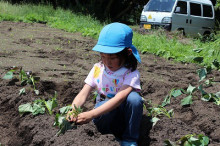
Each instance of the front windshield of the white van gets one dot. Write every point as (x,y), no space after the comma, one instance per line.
(160,5)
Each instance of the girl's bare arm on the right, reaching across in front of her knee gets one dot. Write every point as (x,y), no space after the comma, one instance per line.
(111,104)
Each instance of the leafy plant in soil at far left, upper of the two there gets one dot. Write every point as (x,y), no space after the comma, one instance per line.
(24,77)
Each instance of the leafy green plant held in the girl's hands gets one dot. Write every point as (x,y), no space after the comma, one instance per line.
(61,121)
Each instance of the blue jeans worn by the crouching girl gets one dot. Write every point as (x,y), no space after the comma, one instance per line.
(124,121)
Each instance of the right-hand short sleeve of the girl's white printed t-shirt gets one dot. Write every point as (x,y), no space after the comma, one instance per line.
(133,79)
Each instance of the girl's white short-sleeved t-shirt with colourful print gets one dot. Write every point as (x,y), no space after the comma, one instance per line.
(108,83)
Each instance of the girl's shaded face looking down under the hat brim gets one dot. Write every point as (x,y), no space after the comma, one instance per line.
(112,61)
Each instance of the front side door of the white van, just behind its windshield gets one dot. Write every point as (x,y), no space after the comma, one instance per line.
(180,18)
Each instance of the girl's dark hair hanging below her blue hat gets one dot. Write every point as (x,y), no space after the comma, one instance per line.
(130,60)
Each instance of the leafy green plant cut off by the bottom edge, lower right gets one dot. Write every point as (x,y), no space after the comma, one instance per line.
(189,140)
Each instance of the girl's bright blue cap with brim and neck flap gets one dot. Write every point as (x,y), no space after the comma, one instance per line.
(114,38)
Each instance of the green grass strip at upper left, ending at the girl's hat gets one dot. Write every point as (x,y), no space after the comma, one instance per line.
(61,19)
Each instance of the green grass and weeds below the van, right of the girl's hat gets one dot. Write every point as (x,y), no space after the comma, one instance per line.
(191,51)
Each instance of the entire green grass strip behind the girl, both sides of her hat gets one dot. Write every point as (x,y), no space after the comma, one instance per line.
(194,51)
